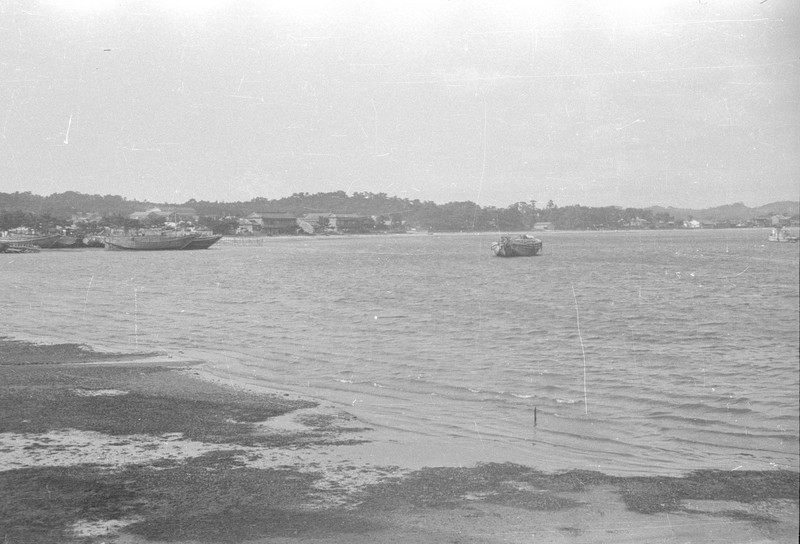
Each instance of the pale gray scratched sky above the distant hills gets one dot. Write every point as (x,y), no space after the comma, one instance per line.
(688,103)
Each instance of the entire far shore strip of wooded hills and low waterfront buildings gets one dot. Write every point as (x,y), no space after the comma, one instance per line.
(359,213)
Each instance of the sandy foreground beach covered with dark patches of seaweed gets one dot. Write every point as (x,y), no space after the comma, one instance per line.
(102,447)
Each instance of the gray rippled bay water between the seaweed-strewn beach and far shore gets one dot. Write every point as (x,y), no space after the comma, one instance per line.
(639,351)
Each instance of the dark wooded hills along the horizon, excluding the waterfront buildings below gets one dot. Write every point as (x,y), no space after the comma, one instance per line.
(19,209)
